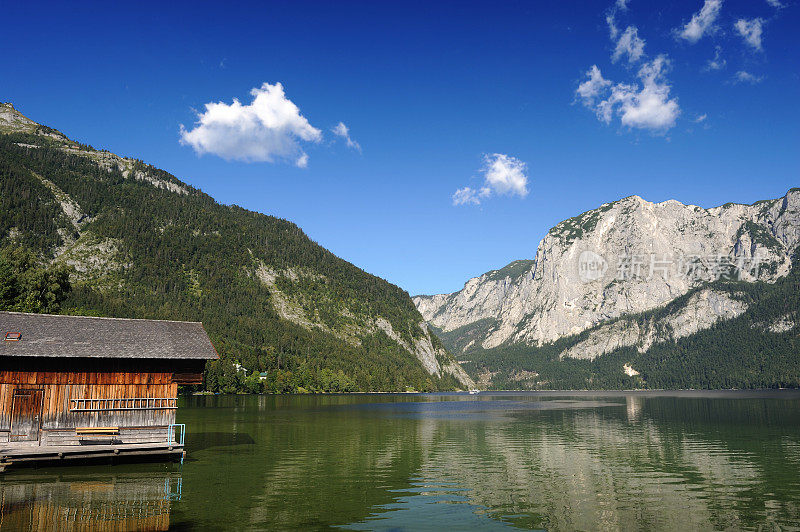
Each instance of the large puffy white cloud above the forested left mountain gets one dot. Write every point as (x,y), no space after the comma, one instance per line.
(270,128)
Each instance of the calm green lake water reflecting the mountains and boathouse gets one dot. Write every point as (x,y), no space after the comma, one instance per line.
(556,461)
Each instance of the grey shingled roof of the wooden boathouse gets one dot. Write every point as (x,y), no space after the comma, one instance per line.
(46,335)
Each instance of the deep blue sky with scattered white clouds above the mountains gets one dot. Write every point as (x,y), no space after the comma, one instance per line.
(697,106)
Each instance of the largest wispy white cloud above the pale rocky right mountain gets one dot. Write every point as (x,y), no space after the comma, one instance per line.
(646,107)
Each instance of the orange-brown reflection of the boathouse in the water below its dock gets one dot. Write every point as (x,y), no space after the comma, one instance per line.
(77,501)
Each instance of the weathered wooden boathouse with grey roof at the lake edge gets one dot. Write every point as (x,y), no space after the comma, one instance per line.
(83,387)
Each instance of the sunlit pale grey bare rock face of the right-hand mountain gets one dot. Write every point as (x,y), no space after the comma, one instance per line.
(624,258)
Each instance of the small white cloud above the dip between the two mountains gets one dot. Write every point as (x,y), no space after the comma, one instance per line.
(502,175)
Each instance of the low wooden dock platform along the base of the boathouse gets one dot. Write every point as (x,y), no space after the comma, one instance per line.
(33,455)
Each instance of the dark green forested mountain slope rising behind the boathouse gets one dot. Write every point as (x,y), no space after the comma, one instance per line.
(141,243)
